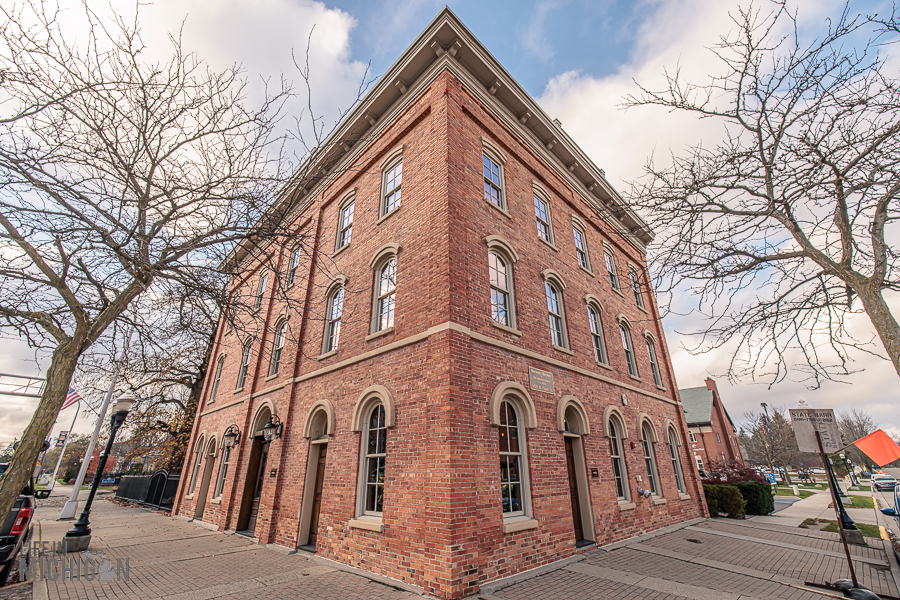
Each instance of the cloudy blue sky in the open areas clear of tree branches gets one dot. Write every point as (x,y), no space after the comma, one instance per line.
(578,59)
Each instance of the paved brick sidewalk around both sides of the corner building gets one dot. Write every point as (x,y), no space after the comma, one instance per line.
(713,559)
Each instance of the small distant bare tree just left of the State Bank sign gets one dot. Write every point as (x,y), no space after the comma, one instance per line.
(770,440)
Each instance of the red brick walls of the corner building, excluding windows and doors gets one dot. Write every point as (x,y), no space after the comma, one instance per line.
(442,518)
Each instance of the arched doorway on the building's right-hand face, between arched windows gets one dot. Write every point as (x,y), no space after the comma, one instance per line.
(574,425)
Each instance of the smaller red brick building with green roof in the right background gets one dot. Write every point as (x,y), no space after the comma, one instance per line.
(711,433)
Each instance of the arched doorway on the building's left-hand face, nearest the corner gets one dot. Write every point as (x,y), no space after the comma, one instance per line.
(319,425)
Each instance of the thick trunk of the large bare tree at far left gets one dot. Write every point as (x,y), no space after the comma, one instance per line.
(21,467)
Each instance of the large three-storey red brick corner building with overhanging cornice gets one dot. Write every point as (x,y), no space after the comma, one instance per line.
(478,383)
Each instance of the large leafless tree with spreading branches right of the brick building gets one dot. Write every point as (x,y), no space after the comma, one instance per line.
(780,228)
